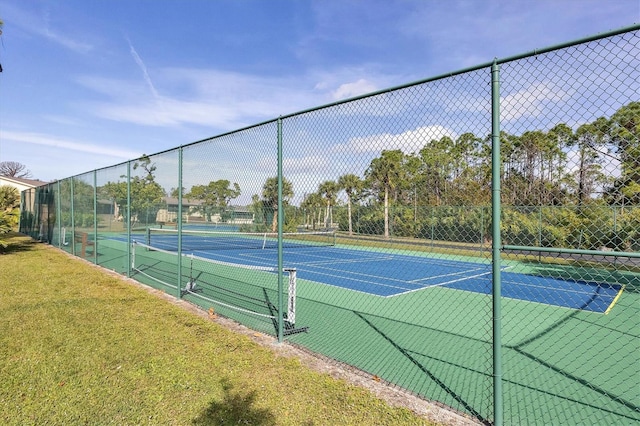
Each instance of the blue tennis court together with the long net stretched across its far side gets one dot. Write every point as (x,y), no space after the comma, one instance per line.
(382,273)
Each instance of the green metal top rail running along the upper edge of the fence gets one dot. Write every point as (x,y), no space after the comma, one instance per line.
(495,61)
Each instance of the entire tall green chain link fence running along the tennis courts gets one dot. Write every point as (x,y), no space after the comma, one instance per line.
(364,231)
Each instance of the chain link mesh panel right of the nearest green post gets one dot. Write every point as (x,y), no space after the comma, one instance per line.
(571,123)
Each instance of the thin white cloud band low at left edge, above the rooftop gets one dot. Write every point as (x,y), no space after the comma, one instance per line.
(67,145)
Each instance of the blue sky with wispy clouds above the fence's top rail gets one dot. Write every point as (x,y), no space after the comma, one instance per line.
(88,84)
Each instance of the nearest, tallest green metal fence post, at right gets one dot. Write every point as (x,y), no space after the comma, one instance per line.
(496,167)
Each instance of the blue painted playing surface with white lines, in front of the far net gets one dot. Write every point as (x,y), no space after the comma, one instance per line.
(388,275)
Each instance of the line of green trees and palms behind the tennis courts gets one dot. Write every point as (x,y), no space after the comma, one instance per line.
(443,189)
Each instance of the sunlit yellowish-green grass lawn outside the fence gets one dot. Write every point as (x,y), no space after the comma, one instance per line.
(81,346)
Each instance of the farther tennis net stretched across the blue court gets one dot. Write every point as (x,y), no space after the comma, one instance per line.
(168,239)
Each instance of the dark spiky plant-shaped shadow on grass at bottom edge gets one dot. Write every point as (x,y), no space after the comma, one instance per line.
(236,408)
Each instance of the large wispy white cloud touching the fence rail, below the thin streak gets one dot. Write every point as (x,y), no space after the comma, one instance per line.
(220,99)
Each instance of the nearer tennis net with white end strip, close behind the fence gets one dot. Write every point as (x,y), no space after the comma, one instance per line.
(233,288)
